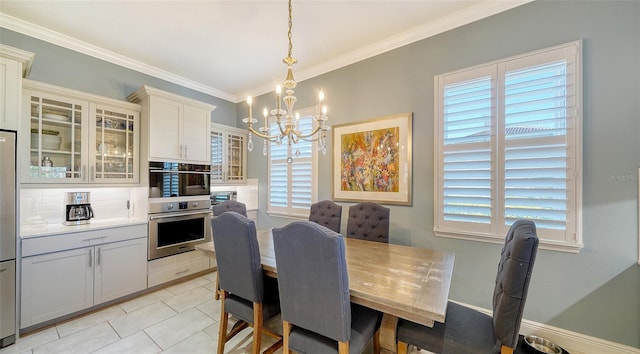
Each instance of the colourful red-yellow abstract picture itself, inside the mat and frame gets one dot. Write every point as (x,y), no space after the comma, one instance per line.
(370,161)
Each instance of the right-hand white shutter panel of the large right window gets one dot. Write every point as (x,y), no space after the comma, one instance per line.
(540,113)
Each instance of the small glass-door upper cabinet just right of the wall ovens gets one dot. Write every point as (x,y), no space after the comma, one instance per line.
(228,154)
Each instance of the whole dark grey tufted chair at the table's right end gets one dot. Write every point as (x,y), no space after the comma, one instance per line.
(467,331)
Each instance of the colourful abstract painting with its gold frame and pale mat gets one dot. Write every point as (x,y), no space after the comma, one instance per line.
(372,160)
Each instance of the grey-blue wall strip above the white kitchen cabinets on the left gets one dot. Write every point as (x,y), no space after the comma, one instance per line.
(63,67)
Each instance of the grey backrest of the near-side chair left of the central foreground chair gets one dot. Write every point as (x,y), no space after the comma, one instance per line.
(238,256)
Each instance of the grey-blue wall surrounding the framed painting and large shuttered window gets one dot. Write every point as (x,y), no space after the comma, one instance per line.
(596,292)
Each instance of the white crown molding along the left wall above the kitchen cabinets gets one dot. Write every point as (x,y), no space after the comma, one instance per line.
(71,43)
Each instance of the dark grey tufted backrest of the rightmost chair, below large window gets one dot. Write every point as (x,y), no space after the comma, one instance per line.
(512,281)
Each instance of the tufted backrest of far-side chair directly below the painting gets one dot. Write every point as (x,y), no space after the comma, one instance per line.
(368,221)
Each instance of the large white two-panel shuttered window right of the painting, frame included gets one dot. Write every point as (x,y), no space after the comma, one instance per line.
(508,141)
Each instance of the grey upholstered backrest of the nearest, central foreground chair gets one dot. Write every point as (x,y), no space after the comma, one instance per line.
(312,279)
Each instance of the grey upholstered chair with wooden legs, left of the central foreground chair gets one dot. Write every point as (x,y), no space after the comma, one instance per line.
(245,291)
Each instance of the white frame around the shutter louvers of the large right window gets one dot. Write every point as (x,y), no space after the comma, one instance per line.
(571,238)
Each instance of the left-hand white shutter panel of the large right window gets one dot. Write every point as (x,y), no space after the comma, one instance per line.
(466,177)
